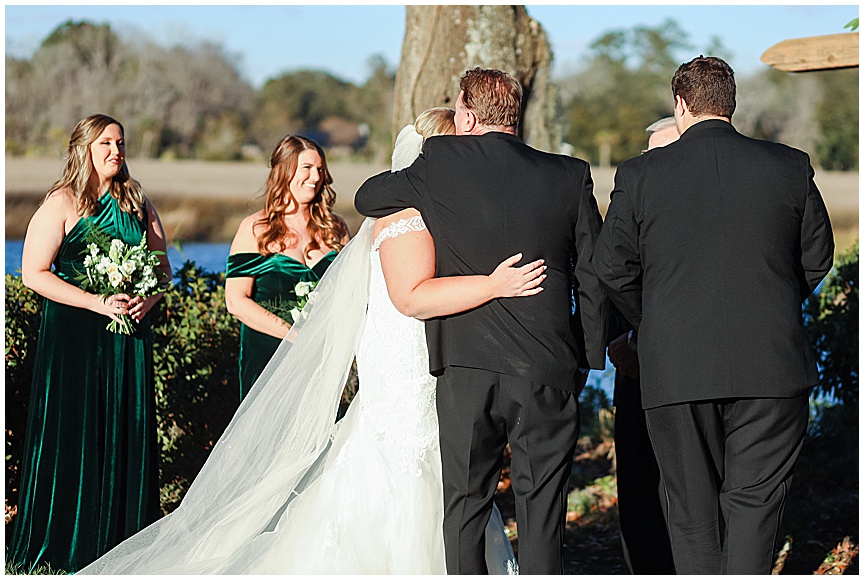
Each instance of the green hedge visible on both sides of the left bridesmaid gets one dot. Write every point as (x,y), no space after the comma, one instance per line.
(196,343)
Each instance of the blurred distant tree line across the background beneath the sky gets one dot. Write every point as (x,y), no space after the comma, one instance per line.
(188,101)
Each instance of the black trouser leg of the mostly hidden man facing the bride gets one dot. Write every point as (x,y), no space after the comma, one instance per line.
(644,536)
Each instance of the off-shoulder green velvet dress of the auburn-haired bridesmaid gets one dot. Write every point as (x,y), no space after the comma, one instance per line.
(275,278)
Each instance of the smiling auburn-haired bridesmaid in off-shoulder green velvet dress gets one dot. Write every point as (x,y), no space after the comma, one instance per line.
(293,239)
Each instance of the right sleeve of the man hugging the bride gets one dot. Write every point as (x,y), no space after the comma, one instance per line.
(591,301)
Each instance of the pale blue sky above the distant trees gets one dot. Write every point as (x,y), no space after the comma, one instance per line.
(271,39)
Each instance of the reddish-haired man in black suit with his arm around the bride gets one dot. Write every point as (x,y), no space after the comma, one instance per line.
(510,370)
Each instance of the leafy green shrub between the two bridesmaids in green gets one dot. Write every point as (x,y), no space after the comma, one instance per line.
(195,348)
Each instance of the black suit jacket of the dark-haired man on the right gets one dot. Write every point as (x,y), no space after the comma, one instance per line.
(709,247)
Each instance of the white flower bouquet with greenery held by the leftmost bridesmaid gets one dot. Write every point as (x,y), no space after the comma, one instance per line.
(112,267)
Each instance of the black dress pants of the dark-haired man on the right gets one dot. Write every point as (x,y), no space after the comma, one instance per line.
(726,466)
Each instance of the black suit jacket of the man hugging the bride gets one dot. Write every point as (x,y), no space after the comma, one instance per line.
(485,198)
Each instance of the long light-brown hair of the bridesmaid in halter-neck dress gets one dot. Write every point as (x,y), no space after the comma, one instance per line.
(78,172)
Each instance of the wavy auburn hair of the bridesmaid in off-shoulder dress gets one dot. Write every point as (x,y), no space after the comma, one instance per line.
(323,225)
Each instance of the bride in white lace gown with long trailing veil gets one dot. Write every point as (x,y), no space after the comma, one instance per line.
(285,491)
